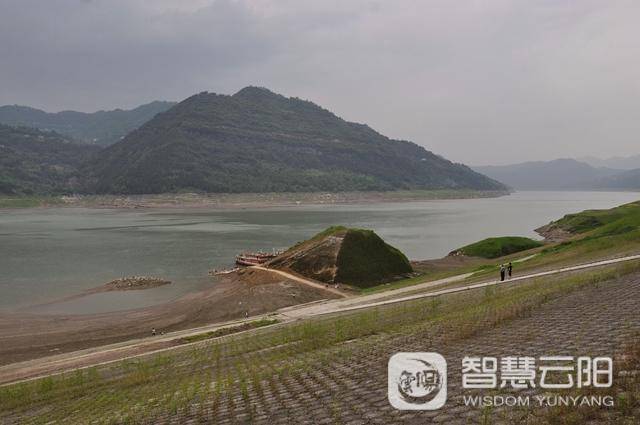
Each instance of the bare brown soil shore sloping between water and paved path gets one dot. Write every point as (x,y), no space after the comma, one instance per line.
(253,292)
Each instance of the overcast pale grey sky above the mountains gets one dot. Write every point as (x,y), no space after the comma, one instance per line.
(480,82)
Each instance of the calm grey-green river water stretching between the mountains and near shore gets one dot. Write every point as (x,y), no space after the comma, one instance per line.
(47,254)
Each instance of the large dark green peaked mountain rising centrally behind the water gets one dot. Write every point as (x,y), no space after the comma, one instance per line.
(259,141)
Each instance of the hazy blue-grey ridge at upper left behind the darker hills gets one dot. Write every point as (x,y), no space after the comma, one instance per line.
(102,128)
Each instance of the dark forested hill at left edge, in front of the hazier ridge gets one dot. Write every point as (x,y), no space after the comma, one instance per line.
(37,162)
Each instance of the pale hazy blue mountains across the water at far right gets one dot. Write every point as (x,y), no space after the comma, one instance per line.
(562,174)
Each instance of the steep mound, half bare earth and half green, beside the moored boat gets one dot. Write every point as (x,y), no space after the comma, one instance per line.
(338,254)
